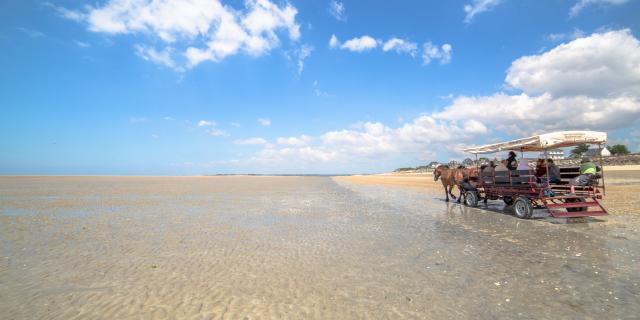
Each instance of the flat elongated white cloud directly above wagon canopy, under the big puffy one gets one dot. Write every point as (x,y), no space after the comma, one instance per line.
(524,114)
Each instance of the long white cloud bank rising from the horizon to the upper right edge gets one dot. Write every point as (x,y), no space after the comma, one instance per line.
(467,120)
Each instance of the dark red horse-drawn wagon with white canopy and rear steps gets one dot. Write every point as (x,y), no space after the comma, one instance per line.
(526,191)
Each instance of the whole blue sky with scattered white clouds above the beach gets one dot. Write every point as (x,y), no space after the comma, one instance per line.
(168,87)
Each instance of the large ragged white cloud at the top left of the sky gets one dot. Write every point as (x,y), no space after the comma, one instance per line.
(193,31)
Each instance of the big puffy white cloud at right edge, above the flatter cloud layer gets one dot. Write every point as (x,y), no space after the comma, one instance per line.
(603,64)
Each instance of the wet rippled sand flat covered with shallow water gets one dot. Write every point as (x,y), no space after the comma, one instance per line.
(296,247)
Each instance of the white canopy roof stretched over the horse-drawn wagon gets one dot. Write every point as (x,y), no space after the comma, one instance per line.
(545,141)
